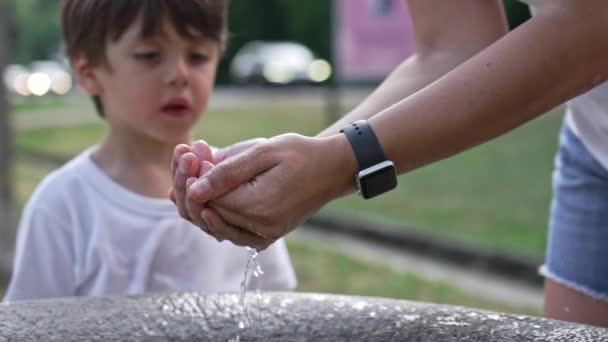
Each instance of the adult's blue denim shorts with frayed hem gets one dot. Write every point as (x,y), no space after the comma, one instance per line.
(577,253)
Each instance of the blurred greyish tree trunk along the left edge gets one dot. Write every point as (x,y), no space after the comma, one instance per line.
(7,202)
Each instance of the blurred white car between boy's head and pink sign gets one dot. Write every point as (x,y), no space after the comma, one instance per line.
(278,63)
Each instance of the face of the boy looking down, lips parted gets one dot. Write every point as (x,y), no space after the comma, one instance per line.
(154,88)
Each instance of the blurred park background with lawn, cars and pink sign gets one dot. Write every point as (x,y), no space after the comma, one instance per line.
(295,66)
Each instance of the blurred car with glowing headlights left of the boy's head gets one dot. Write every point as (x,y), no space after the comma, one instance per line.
(43,77)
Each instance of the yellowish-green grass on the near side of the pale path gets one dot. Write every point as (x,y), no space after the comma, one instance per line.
(321,270)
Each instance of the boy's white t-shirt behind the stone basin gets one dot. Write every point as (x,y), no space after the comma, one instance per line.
(82,234)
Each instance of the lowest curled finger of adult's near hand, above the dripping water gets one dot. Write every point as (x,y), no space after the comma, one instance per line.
(236,235)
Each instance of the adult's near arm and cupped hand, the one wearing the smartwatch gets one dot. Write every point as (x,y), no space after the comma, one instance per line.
(560,53)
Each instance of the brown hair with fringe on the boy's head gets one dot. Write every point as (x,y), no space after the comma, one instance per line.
(89,24)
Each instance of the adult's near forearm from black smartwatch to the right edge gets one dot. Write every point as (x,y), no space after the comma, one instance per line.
(553,57)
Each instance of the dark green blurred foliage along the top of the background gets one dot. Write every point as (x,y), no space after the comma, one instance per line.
(36,33)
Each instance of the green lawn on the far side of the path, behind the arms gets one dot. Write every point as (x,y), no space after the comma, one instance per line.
(496,195)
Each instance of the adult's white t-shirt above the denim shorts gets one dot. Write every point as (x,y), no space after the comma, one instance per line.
(587,114)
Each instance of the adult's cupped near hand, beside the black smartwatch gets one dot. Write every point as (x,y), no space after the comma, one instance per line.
(267,189)
